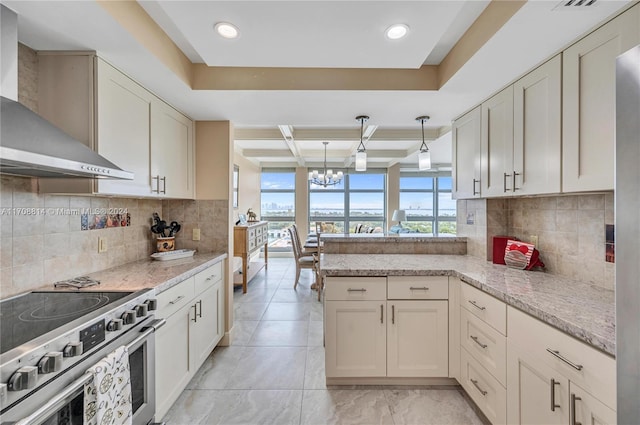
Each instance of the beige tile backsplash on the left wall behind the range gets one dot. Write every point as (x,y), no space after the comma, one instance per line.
(42,241)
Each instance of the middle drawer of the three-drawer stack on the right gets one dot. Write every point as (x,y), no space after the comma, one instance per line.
(485,344)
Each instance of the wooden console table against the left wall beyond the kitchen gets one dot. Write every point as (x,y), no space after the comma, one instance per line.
(247,239)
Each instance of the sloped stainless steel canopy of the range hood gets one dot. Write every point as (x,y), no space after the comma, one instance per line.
(32,146)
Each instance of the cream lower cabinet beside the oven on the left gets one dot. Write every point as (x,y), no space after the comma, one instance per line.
(194,311)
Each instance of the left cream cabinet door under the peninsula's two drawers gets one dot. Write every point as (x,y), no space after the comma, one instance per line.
(355,338)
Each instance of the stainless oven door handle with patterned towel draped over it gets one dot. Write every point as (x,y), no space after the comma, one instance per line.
(66,395)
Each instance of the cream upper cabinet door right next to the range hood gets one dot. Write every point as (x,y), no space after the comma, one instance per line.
(122,119)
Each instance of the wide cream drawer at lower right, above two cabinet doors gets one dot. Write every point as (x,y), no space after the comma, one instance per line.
(597,373)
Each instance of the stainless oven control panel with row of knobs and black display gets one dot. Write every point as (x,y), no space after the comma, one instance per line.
(35,367)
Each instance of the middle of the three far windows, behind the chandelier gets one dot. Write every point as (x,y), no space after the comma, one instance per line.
(357,199)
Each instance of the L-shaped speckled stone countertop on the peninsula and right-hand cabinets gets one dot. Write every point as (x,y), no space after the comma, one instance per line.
(584,311)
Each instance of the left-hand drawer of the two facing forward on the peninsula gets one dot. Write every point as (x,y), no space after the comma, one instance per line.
(355,288)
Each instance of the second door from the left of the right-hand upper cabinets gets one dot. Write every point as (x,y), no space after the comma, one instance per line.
(496,145)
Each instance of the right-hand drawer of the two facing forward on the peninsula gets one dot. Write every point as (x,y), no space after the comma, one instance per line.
(418,287)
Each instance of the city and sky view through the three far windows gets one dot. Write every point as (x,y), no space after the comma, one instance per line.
(359,199)
